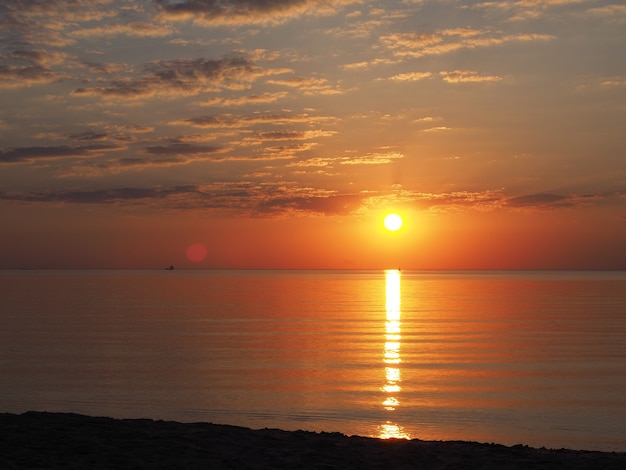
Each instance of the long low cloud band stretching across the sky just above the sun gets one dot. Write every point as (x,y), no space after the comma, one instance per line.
(270,199)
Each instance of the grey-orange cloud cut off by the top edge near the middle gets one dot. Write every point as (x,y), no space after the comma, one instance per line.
(245,12)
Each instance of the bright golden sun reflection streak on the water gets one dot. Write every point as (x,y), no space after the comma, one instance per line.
(391,357)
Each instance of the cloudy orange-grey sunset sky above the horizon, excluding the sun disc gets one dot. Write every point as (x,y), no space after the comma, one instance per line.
(277,134)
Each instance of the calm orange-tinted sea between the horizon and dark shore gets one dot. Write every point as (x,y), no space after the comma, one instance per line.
(537,358)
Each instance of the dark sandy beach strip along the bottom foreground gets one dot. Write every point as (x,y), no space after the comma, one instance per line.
(70,441)
